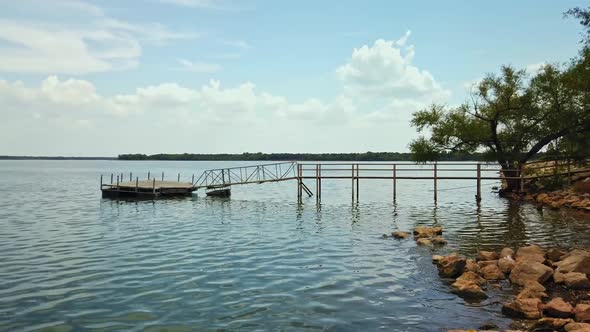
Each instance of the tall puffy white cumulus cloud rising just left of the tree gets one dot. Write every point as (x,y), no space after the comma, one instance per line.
(386,70)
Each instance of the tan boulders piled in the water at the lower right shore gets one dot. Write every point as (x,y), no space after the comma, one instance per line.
(552,287)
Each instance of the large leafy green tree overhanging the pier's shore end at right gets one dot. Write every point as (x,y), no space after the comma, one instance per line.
(511,117)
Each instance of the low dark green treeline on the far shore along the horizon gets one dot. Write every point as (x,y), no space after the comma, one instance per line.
(367,156)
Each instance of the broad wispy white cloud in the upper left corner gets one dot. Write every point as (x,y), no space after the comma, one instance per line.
(92,42)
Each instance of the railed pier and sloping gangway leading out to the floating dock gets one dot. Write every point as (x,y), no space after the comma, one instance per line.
(220,180)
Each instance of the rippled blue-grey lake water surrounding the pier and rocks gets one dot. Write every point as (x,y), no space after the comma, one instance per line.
(70,260)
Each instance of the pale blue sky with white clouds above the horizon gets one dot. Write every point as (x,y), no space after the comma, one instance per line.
(102,78)
